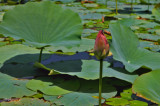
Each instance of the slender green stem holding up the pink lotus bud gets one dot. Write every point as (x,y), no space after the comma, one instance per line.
(100,81)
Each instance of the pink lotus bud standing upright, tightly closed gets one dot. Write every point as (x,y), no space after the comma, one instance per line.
(101,47)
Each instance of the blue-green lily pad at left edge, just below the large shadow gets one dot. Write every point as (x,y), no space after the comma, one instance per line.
(12,87)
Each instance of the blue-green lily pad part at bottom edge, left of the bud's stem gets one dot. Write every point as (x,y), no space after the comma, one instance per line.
(74,99)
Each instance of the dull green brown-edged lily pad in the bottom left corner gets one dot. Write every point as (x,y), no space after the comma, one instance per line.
(27,102)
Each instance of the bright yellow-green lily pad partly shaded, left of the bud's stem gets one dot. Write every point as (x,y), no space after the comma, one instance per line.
(47,86)
